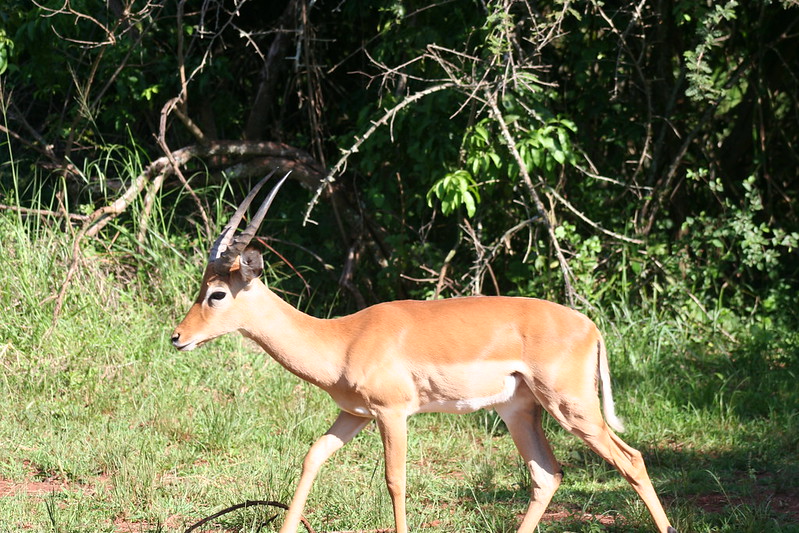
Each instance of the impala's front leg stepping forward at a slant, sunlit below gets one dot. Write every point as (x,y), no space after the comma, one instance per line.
(340,433)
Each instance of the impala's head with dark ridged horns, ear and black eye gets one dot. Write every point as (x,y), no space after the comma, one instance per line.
(233,271)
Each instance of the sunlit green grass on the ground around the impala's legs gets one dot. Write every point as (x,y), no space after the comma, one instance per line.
(123,433)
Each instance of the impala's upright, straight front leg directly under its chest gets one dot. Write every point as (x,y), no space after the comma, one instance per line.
(394,432)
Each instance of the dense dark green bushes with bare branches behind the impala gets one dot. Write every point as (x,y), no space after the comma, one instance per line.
(636,152)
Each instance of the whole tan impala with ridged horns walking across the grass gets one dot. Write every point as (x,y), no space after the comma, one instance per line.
(518,356)
